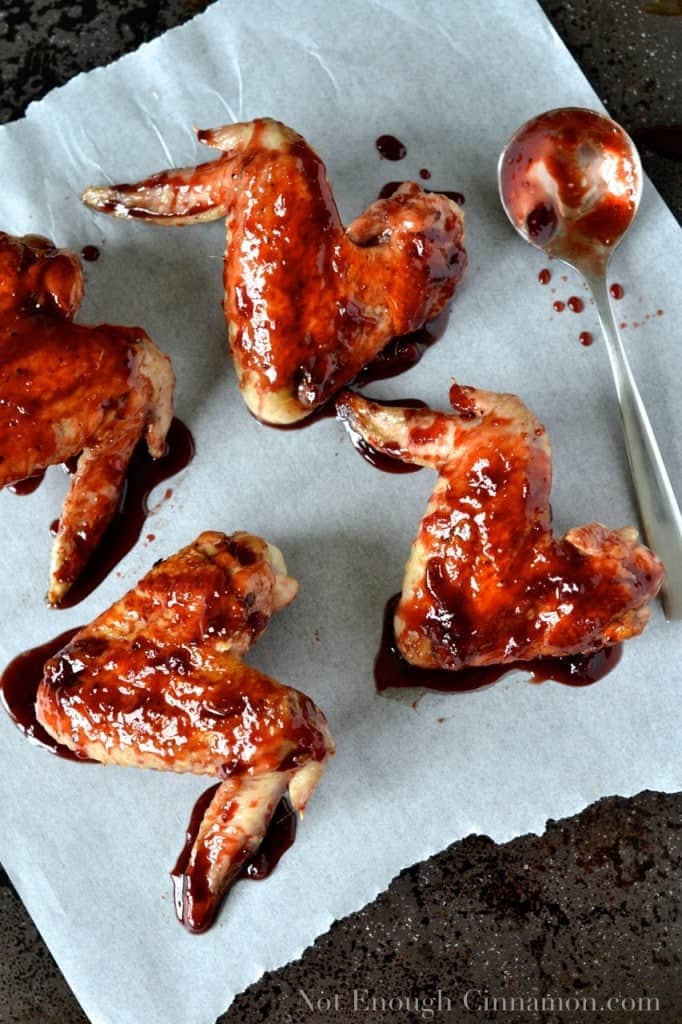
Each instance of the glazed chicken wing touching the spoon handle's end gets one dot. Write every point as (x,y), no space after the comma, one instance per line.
(487,582)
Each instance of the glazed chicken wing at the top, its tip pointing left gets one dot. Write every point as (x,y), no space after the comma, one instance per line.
(308,303)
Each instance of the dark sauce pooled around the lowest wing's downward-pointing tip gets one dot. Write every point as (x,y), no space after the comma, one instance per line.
(195,905)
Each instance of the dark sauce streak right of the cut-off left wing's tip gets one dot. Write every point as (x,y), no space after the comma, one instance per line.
(145,474)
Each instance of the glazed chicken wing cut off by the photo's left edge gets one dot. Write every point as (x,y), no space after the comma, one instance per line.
(67,389)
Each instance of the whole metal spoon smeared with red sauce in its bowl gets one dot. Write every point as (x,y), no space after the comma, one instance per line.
(571,183)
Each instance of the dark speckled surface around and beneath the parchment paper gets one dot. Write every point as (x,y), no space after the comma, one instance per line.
(590,911)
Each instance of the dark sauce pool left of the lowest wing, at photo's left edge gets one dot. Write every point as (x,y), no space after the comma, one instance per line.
(19,686)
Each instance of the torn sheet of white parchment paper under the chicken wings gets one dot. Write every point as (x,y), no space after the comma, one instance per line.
(89,847)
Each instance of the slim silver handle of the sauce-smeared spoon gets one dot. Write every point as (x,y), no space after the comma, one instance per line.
(658,506)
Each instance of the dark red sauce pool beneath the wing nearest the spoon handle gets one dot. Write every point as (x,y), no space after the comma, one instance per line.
(393,672)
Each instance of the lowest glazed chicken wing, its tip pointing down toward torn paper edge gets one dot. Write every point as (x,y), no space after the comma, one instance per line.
(158,681)
